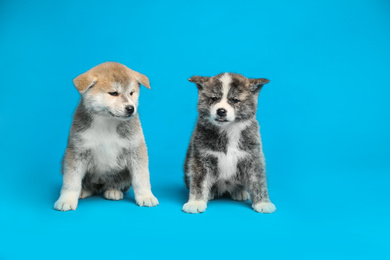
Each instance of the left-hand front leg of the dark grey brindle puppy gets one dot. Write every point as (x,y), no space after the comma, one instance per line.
(200,185)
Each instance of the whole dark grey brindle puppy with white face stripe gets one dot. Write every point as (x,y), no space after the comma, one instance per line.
(225,153)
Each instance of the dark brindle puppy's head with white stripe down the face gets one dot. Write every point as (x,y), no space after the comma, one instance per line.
(227,97)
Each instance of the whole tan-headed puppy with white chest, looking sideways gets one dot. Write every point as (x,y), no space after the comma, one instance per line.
(106,150)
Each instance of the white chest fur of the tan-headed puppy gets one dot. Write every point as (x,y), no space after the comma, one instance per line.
(105,144)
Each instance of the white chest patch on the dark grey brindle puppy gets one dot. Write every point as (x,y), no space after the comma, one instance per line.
(227,163)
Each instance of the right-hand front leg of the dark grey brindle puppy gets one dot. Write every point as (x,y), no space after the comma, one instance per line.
(257,186)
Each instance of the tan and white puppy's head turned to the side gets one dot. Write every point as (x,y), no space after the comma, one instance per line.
(111,89)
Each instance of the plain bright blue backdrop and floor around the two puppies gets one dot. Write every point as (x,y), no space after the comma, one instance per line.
(325,126)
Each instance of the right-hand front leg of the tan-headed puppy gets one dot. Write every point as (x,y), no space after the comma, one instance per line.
(138,165)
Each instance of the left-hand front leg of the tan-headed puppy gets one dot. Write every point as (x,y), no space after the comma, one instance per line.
(74,170)
